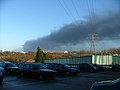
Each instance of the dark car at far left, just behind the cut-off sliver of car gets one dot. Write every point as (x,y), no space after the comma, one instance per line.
(10,68)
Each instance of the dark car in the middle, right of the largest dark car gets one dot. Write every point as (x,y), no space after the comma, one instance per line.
(63,69)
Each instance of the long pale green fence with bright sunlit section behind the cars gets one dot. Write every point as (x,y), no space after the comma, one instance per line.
(105,60)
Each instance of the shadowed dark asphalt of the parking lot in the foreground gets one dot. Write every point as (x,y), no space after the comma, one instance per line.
(82,81)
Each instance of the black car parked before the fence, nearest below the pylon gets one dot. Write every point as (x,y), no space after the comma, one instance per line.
(86,67)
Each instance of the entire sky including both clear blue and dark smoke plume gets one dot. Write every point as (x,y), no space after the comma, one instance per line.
(58,24)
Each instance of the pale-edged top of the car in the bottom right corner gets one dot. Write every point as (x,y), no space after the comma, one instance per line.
(106,85)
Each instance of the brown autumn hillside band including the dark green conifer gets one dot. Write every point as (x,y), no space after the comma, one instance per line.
(40,55)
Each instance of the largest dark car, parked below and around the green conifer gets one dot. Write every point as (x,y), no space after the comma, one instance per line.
(37,70)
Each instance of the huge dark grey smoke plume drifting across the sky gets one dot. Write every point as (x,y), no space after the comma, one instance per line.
(74,36)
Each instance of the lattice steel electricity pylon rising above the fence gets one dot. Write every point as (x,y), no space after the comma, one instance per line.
(92,38)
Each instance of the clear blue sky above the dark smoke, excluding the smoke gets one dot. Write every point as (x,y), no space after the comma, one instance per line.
(22,20)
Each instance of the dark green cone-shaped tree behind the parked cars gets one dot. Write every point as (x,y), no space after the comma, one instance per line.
(39,55)
